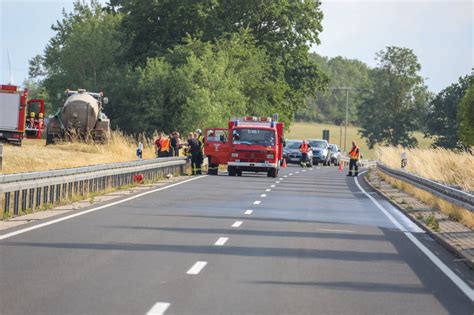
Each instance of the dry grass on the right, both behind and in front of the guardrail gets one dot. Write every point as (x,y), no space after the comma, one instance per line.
(440,165)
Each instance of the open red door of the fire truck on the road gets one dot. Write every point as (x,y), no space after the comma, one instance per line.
(216,147)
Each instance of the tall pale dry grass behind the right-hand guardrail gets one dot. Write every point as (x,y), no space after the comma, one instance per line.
(440,165)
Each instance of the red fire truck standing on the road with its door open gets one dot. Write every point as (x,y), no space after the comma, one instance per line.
(251,144)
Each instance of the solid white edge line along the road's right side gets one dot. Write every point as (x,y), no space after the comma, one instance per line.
(442,266)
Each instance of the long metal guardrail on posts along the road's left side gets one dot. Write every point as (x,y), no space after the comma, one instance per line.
(28,191)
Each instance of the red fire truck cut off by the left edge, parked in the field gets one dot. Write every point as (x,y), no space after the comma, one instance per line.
(19,116)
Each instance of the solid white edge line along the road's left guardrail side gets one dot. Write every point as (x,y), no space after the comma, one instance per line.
(34,227)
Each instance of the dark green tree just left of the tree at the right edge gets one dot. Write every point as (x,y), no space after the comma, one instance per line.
(443,122)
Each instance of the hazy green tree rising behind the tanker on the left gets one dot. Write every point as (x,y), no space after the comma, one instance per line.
(82,52)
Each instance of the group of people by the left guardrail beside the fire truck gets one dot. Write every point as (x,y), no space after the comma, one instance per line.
(168,146)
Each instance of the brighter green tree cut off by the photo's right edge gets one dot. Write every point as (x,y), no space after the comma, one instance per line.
(466,116)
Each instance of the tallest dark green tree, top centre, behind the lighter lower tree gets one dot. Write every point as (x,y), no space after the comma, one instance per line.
(284,29)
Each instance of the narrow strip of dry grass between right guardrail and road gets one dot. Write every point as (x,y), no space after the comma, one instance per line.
(456,213)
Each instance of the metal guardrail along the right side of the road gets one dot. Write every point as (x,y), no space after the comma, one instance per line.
(450,194)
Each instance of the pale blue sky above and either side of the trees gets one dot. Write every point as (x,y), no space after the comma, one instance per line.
(440,33)
